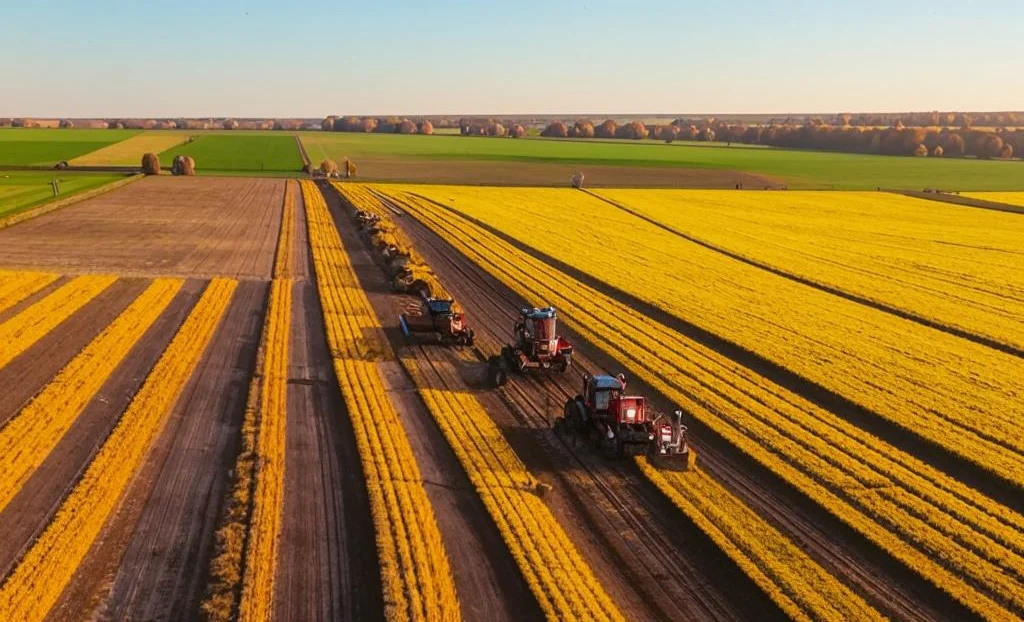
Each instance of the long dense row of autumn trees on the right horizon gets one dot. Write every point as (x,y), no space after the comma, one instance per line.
(898,140)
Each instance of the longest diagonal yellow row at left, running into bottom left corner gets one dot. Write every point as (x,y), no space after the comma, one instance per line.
(39,579)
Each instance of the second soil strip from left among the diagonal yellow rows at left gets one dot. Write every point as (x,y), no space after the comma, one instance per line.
(28,375)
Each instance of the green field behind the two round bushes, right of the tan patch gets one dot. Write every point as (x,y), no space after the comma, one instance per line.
(250,152)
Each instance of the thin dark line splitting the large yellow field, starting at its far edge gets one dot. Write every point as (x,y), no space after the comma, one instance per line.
(829,289)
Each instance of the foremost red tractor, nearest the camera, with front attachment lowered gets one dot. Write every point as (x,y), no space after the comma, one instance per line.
(620,425)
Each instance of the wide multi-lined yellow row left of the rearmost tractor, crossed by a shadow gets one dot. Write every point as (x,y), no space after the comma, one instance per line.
(416,576)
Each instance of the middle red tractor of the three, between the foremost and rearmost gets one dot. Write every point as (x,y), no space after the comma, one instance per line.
(537,347)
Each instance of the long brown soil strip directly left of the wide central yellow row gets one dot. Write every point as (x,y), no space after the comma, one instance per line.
(327,558)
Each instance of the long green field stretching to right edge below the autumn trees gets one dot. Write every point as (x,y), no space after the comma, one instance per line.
(794,169)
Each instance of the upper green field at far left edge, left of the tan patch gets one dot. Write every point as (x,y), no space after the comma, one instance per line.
(48,147)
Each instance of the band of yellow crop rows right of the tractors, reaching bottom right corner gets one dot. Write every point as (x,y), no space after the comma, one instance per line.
(959,540)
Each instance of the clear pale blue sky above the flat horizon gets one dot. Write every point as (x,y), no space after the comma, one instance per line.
(260,59)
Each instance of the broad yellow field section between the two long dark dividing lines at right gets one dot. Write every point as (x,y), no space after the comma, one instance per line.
(869,357)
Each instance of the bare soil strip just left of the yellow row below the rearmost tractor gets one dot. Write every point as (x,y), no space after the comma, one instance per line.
(489,583)
